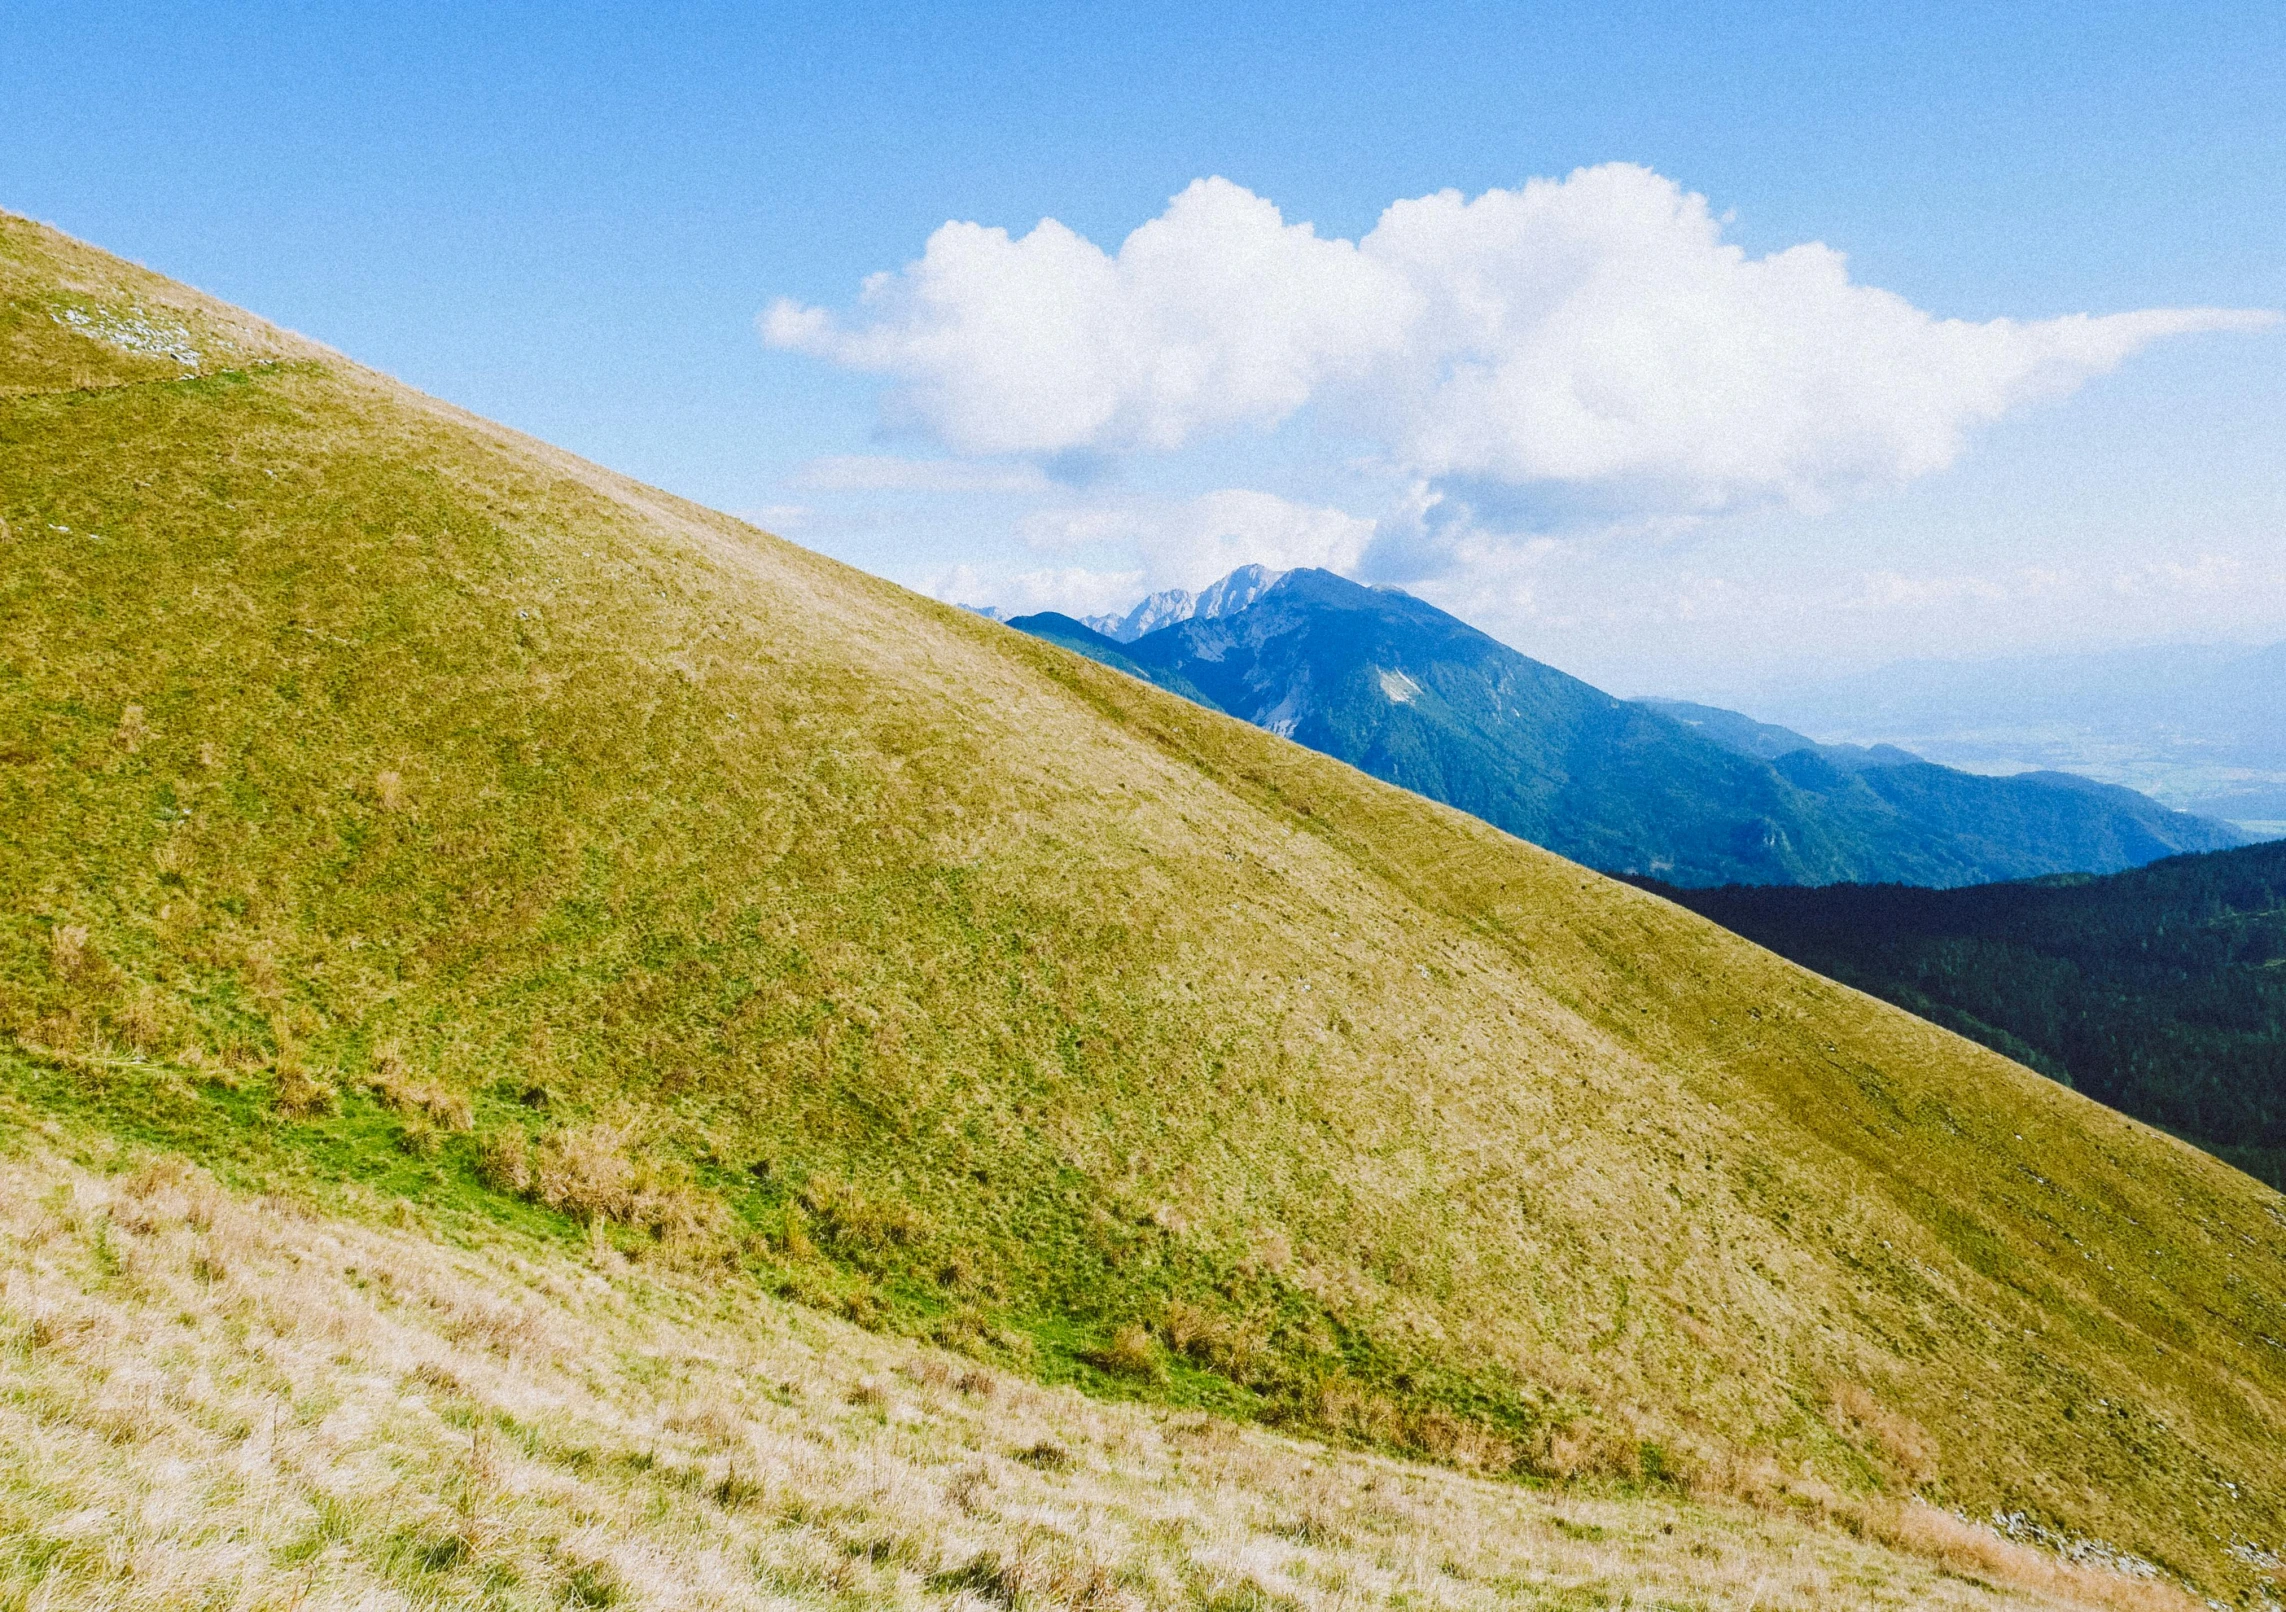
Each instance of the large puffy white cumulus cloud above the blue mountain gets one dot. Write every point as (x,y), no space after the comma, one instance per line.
(1592,333)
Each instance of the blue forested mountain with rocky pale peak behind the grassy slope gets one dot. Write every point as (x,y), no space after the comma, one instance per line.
(1686,795)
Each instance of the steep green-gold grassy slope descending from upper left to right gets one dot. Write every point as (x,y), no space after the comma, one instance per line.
(664,877)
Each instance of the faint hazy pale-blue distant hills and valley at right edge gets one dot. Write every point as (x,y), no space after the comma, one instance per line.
(2200,728)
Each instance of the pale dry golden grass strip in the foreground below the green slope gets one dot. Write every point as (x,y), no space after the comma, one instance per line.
(225,1403)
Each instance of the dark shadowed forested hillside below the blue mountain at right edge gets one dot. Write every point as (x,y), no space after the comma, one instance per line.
(2161,991)
